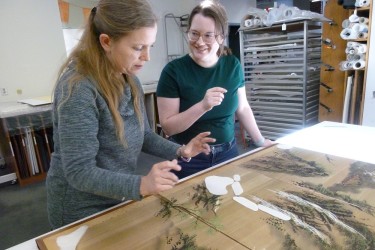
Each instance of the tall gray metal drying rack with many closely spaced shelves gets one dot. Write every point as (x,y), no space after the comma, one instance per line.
(281,65)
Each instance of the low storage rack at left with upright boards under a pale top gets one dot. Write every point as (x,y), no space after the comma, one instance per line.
(26,140)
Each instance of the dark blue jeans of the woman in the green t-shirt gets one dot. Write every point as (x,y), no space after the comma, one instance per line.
(219,153)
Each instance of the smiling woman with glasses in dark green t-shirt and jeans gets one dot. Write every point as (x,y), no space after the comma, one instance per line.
(204,91)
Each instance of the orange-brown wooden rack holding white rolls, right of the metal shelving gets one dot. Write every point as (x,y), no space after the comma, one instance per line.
(332,99)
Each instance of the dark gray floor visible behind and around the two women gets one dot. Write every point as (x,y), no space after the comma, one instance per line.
(23,214)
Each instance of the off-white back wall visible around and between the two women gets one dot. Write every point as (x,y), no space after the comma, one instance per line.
(30,61)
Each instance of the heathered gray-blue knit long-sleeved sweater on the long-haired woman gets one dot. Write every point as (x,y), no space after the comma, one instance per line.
(90,170)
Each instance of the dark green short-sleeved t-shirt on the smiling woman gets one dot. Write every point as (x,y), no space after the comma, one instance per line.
(184,79)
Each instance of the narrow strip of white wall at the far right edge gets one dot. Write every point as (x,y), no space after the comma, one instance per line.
(369,106)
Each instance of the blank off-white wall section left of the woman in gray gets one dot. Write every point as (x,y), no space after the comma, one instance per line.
(31,47)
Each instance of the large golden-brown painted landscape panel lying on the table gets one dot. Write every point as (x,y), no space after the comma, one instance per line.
(317,200)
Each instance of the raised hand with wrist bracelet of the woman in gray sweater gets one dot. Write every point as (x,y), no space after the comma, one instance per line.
(197,145)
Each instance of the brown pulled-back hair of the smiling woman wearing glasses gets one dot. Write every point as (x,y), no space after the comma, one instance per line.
(216,11)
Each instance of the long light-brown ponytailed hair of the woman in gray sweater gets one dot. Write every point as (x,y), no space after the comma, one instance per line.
(116,18)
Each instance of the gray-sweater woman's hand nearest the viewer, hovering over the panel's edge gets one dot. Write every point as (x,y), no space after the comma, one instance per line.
(160,178)
